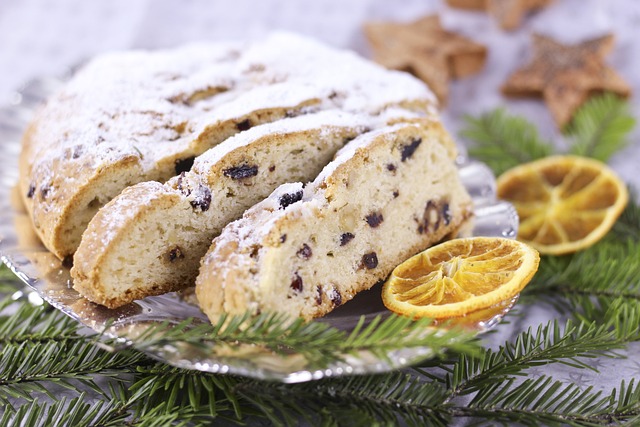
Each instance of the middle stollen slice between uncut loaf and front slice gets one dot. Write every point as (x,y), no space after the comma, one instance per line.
(150,239)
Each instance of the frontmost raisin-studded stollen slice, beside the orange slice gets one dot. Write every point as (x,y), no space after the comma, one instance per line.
(388,194)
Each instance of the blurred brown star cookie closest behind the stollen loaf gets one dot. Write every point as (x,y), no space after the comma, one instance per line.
(426,50)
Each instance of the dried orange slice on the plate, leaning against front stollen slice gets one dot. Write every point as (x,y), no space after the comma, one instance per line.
(460,277)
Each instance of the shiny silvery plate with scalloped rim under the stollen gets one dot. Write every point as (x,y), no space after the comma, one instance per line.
(23,253)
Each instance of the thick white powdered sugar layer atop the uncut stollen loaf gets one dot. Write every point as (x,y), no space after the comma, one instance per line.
(144,99)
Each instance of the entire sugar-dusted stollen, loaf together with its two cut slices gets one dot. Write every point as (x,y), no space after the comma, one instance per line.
(140,172)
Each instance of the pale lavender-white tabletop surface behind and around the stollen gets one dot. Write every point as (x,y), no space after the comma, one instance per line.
(46,38)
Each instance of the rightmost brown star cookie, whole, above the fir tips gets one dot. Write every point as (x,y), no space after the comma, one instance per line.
(566,75)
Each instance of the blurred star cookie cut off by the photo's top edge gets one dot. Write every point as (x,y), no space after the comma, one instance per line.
(508,13)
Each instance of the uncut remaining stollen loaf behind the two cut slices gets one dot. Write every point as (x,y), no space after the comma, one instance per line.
(131,117)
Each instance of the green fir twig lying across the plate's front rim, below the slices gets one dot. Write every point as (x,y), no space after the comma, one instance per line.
(318,342)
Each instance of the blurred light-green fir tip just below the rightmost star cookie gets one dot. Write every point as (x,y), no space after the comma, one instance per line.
(601,127)
